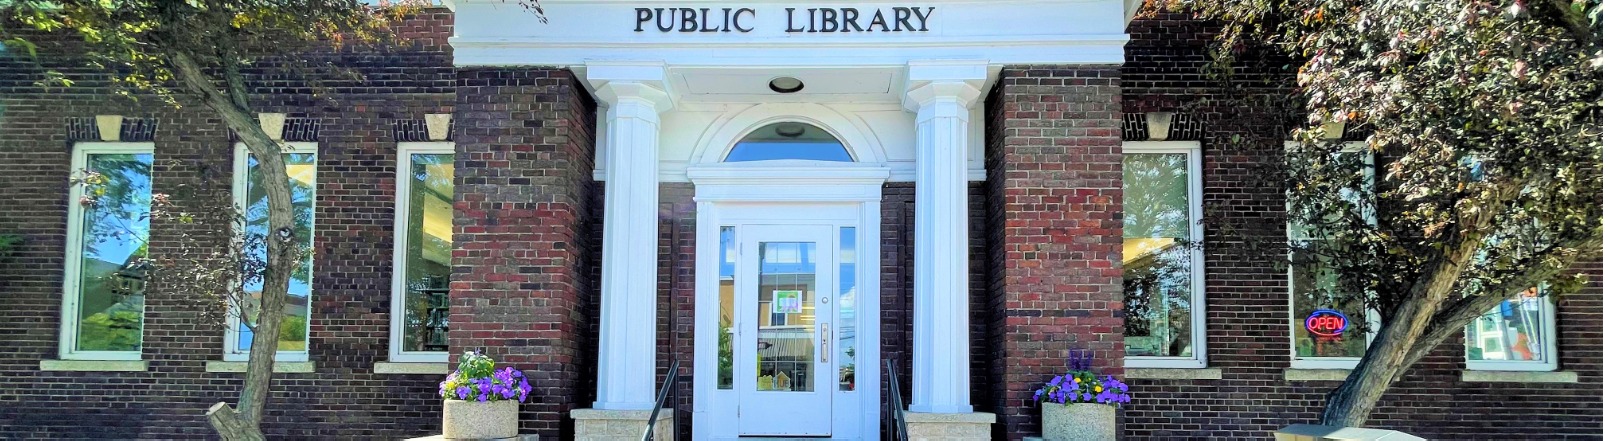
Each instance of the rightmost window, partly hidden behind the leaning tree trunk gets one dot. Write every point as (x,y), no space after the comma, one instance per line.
(1516,336)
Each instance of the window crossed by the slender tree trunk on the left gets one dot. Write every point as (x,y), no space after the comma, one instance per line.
(301,161)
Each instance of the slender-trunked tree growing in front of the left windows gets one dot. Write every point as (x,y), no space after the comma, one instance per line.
(195,52)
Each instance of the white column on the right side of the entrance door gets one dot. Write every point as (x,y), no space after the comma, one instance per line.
(941,264)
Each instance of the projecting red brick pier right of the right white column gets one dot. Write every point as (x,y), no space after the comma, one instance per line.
(1054,230)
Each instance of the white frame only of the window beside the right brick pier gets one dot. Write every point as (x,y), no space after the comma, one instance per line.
(1195,153)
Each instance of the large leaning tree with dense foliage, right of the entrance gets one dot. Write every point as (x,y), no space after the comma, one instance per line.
(1484,179)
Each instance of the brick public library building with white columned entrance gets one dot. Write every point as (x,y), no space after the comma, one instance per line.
(627,187)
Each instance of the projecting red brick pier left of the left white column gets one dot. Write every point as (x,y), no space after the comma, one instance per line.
(522,283)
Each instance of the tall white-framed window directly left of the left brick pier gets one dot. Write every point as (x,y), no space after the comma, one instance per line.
(423,257)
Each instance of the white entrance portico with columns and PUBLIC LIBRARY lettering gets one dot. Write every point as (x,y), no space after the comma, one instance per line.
(789,121)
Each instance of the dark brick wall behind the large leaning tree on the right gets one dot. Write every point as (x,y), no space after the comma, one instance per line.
(1248,296)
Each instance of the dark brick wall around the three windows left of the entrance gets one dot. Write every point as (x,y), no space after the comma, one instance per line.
(193,153)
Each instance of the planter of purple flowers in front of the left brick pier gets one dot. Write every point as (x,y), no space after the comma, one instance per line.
(482,403)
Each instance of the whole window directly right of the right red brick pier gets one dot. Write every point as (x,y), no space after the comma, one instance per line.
(1163,261)
